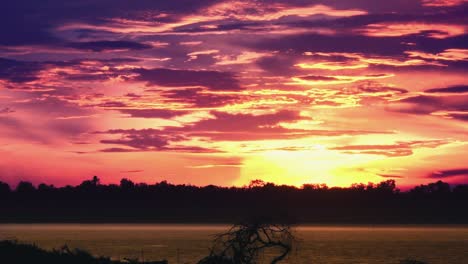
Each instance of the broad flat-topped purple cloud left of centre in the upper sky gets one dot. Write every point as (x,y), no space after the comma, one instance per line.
(213,80)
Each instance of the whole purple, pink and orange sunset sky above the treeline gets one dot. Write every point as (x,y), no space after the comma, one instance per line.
(224,92)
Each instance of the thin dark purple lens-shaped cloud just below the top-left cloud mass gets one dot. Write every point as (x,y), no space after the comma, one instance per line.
(97,46)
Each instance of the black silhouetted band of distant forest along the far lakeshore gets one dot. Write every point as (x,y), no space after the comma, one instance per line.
(163,202)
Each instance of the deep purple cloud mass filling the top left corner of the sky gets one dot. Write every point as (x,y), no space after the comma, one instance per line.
(28,22)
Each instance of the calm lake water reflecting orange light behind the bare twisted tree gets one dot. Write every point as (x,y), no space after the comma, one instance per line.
(182,244)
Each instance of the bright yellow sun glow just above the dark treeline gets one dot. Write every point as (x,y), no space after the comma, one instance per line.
(318,165)
